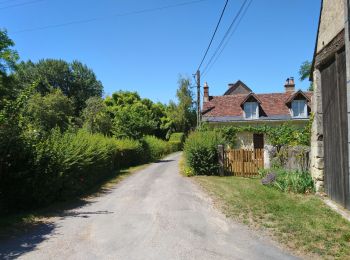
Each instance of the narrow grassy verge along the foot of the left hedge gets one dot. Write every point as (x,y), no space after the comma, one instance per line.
(15,222)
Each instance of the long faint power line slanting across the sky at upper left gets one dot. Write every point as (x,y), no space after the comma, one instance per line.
(110,16)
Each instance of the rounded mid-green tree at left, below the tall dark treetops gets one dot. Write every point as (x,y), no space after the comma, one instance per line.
(44,113)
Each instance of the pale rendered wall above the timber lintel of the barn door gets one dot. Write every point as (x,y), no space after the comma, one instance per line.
(332,22)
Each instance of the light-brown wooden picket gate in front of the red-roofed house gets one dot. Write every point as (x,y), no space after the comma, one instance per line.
(244,162)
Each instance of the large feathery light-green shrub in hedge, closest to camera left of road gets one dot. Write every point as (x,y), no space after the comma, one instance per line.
(68,164)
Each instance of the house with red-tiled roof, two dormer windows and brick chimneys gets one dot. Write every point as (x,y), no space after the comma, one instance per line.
(240,106)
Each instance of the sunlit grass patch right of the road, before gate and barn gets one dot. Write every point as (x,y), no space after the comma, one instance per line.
(301,222)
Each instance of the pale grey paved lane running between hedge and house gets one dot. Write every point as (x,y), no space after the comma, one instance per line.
(154,214)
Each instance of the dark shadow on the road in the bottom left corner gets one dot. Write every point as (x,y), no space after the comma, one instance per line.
(14,247)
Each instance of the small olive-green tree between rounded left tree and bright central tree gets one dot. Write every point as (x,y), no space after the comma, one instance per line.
(95,116)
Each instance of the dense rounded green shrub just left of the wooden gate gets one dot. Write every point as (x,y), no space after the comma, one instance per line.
(201,152)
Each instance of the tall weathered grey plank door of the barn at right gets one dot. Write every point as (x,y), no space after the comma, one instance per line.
(334,103)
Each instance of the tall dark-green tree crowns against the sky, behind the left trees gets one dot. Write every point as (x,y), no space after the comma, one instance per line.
(75,79)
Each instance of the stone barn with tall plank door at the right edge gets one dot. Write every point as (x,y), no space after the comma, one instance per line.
(331,104)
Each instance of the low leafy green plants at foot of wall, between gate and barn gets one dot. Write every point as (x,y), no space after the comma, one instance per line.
(291,181)
